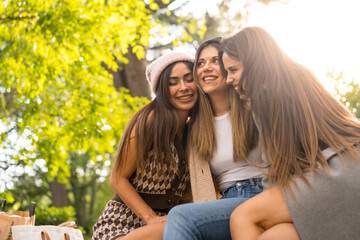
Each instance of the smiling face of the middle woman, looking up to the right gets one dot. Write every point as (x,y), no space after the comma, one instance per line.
(209,72)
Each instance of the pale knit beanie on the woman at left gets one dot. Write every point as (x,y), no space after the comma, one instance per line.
(154,70)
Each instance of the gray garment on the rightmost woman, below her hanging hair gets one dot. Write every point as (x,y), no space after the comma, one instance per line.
(330,210)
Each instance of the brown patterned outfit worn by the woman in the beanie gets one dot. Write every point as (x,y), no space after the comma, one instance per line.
(160,193)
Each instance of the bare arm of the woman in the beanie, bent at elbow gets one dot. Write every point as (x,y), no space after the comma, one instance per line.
(120,183)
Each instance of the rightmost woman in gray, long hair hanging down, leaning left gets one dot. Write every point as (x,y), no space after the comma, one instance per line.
(311,145)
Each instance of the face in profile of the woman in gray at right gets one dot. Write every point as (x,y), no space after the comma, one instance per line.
(234,70)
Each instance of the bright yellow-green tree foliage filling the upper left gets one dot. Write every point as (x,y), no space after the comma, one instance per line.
(52,79)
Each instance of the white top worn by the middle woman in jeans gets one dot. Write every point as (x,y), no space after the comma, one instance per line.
(222,164)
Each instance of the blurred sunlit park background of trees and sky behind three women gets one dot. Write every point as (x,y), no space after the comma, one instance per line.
(72,74)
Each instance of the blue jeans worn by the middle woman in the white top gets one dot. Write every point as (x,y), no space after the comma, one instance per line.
(208,220)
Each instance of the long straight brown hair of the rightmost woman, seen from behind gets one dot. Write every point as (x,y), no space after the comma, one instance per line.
(296,115)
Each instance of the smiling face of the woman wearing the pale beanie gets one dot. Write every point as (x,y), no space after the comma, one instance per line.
(183,92)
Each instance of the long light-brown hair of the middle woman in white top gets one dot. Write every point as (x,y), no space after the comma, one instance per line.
(202,134)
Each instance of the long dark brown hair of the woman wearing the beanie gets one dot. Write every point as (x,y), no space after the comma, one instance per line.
(155,129)
